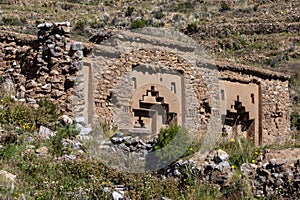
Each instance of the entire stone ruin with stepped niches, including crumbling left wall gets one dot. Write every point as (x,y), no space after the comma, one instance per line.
(144,80)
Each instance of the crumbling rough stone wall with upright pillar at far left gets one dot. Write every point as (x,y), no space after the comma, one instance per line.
(45,67)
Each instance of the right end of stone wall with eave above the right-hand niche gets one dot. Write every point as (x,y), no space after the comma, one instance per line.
(274,104)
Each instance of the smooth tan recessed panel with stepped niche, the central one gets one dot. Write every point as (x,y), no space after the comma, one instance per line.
(157,98)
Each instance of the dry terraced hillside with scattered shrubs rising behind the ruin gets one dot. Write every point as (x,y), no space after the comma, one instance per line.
(264,32)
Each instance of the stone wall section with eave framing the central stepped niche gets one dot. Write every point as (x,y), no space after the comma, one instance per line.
(112,67)
